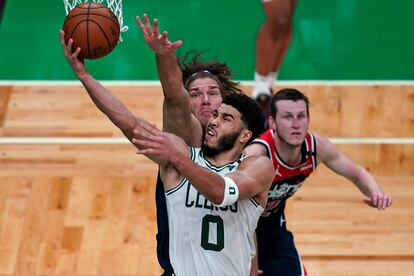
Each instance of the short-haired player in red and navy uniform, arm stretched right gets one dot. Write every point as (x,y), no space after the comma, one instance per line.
(295,153)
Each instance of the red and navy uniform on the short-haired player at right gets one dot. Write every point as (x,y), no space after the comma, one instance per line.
(277,254)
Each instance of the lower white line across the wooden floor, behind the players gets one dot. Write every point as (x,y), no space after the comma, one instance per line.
(121,140)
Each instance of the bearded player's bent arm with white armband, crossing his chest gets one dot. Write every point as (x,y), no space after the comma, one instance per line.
(253,178)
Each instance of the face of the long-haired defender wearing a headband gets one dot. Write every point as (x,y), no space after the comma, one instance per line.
(205,97)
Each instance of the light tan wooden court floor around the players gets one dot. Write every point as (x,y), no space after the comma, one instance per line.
(83,208)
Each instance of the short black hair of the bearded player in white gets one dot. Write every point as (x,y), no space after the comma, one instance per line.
(251,113)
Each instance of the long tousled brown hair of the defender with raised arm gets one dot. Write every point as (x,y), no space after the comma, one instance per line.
(193,67)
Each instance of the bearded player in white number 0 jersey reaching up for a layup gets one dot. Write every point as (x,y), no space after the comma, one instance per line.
(236,122)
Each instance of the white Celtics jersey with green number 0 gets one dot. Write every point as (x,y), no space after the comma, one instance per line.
(210,240)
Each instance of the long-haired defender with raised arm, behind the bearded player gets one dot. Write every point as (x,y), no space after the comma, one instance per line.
(192,89)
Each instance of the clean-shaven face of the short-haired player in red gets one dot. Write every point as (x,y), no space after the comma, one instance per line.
(291,122)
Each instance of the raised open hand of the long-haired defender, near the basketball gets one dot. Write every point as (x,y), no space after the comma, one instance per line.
(159,43)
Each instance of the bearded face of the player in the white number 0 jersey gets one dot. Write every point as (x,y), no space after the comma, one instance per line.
(224,128)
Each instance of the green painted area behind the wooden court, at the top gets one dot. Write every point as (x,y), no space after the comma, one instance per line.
(333,39)
